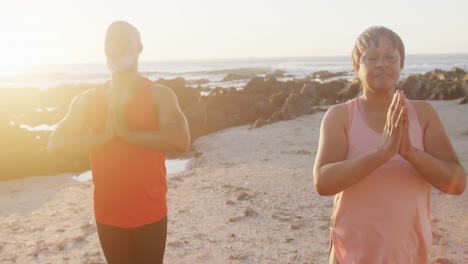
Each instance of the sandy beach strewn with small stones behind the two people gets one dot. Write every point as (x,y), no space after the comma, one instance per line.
(248,198)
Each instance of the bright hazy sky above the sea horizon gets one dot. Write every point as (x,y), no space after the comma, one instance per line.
(64,31)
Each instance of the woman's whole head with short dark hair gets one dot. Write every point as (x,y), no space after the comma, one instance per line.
(378,57)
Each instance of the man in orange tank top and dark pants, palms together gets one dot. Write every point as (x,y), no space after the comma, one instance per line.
(126,128)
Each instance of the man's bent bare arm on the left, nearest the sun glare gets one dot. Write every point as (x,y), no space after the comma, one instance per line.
(71,137)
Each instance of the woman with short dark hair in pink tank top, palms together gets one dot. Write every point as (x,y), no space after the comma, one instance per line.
(379,154)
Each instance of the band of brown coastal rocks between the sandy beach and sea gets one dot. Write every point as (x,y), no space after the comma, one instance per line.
(263,100)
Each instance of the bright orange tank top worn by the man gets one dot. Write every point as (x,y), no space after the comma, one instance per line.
(129,180)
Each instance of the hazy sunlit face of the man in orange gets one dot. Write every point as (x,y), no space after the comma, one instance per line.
(122,48)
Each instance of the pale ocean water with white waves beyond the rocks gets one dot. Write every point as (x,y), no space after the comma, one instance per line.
(215,70)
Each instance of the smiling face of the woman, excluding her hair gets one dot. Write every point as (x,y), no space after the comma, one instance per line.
(379,67)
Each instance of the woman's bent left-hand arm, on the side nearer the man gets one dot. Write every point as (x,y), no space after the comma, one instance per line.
(332,171)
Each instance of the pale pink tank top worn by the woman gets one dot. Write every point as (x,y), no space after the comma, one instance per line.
(384,218)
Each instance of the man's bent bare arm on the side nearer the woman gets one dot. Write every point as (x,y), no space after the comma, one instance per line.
(173,134)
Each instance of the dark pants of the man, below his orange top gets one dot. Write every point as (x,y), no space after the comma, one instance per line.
(141,245)
